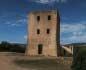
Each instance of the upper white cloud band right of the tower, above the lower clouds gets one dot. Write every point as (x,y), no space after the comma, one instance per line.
(73,27)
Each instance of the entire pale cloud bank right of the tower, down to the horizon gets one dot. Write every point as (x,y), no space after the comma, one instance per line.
(75,32)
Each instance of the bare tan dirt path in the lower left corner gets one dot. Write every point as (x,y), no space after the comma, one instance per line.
(6,62)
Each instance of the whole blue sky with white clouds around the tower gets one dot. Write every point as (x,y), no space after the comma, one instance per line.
(14,15)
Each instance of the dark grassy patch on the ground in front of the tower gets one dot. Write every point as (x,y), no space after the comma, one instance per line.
(42,64)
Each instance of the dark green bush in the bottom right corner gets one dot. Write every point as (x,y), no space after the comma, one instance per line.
(79,58)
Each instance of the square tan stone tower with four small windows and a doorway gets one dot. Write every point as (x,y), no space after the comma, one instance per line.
(43,33)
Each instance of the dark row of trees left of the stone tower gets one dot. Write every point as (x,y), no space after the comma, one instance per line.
(9,47)
